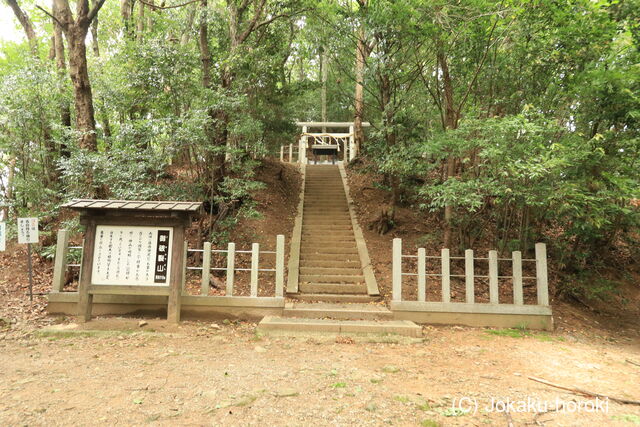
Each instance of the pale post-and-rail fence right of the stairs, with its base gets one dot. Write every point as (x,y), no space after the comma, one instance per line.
(443,272)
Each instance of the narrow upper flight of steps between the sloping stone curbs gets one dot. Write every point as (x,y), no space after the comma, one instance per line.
(330,266)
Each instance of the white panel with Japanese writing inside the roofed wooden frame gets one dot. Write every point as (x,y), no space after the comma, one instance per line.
(132,255)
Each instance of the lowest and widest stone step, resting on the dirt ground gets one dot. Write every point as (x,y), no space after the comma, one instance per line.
(275,324)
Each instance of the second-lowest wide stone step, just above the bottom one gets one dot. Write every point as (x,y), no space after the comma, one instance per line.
(337,311)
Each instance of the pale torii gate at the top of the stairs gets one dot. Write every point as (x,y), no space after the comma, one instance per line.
(327,140)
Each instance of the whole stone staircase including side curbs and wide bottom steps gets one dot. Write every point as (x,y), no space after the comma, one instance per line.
(334,291)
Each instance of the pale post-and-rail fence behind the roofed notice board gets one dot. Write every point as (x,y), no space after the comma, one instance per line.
(63,250)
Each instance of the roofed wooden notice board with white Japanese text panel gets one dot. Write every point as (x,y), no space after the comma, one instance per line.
(125,245)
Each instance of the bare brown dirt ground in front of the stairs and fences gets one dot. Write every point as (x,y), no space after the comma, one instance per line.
(114,372)
